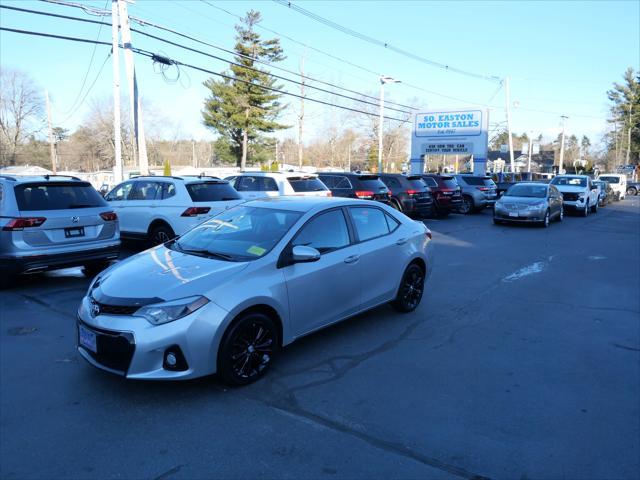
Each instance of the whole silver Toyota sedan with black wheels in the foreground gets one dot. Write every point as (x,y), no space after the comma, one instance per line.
(226,296)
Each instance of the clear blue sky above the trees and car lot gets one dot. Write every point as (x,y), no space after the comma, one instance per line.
(561,57)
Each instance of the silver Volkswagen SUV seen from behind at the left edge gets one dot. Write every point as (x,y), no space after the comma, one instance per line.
(50,222)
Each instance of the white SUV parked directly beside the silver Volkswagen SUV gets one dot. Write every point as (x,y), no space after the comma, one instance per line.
(156,209)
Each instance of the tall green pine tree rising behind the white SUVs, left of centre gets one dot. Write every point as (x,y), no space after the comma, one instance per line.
(242,107)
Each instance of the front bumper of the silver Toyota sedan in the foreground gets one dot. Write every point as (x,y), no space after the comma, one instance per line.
(131,347)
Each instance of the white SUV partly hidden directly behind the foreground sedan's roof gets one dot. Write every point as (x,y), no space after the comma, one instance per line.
(273,184)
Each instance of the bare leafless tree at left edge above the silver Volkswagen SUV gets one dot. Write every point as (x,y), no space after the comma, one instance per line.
(21,111)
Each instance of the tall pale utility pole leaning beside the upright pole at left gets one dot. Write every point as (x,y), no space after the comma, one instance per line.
(140,145)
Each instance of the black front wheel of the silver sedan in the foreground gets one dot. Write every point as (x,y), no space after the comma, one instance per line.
(238,367)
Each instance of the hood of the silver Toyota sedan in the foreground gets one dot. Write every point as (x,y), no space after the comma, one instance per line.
(163,274)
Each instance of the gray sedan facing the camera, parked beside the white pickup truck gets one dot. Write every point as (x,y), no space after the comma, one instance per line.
(529,202)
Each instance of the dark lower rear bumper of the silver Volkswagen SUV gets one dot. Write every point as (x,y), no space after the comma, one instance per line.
(38,263)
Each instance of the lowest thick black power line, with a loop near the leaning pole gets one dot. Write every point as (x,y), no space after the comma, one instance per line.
(161,59)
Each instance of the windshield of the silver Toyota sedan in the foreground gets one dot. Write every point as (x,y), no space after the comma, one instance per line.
(238,234)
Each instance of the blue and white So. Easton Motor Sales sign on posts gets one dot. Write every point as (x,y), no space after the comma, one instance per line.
(450,132)
